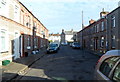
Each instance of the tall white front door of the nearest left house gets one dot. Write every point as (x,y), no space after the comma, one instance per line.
(16,45)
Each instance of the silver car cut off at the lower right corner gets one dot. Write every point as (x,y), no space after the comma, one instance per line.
(108,67)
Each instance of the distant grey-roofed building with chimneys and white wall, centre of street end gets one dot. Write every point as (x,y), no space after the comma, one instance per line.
(68,36)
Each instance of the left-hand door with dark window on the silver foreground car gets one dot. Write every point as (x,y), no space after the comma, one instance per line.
(105,68)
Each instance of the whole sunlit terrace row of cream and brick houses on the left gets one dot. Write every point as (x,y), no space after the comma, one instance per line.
(21,33)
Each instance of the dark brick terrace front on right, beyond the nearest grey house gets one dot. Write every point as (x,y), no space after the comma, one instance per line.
(93,37)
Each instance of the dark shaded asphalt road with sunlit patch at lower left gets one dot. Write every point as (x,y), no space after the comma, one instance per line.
(67,64)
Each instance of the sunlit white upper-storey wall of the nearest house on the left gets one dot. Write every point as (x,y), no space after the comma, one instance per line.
(6,11)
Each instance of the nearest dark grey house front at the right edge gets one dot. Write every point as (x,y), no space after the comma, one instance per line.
(113,28)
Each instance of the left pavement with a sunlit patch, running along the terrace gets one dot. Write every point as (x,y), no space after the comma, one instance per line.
(19,66)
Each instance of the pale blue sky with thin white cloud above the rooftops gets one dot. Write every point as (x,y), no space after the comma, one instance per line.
(67,14)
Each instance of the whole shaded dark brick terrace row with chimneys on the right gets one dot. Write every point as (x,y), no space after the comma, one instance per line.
(102,35)
